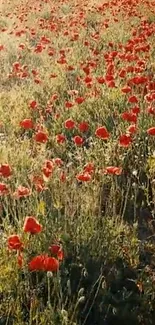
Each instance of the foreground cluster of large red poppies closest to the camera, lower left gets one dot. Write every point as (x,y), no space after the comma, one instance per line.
(42,262)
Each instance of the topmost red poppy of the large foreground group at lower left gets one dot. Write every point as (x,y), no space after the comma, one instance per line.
(32,225)
